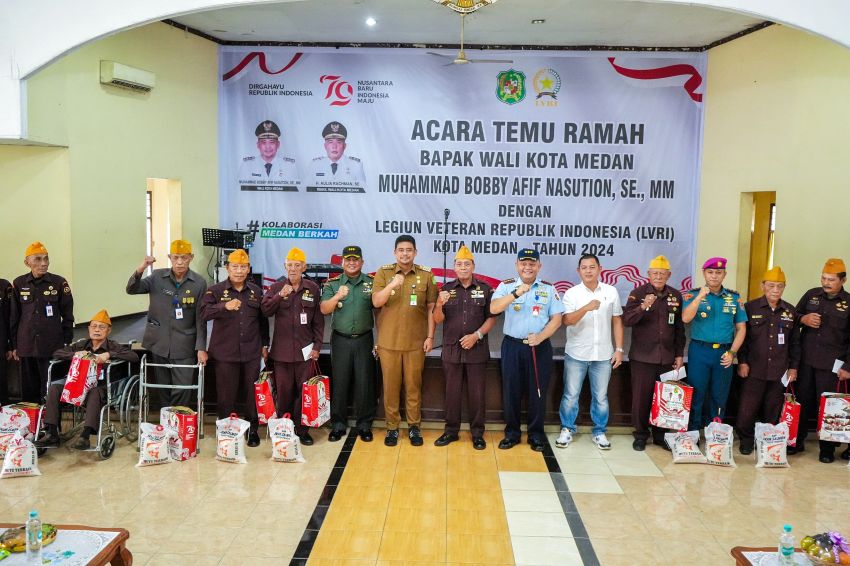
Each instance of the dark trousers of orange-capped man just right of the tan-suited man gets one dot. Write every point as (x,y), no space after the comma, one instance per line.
(475,376)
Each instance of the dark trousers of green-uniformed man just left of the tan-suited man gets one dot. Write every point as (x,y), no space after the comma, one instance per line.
(353,372)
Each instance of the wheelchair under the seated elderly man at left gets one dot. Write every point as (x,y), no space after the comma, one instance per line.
(122,400)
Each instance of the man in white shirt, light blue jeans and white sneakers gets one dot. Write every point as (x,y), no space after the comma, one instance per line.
(591,311)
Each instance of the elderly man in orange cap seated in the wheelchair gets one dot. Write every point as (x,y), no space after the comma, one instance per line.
(106,350)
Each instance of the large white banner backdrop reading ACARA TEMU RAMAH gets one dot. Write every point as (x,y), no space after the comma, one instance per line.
(567,152)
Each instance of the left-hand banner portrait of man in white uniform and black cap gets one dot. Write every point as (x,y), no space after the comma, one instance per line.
(268,171)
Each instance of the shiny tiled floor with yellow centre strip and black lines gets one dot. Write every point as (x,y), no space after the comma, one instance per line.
(431,505)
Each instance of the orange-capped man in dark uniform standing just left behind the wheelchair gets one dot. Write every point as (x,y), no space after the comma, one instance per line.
(42,320)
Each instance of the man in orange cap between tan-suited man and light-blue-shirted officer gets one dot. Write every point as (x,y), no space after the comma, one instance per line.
(464,305)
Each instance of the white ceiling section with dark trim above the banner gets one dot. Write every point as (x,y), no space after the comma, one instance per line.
(617,23)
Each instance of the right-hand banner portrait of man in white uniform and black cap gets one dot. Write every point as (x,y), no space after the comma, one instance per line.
(335,171)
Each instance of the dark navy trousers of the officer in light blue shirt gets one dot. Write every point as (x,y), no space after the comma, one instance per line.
(518,380)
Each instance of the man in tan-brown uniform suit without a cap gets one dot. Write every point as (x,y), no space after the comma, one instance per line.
(406,293)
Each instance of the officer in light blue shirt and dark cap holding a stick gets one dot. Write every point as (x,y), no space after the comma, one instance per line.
(533,312)
